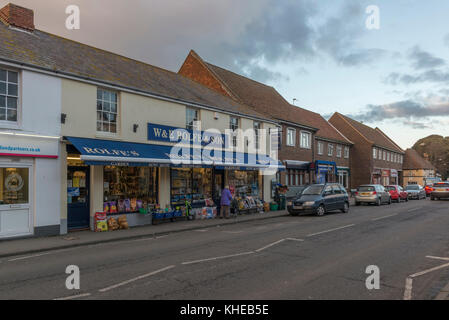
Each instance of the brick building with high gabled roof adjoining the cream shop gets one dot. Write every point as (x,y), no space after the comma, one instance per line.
(297,135)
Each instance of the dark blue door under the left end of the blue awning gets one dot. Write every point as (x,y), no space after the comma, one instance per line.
(78,211)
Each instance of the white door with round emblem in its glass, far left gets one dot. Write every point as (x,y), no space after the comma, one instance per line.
(15,208)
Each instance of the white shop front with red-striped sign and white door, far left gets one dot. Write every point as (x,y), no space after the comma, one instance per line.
(28,179)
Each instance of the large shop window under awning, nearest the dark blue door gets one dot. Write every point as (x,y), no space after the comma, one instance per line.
(129,189)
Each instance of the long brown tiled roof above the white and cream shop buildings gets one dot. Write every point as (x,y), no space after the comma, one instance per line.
(43,50)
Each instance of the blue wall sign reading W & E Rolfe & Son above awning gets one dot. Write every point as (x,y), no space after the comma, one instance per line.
(157,132)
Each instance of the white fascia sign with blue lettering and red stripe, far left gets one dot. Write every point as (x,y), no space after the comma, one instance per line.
(20,146)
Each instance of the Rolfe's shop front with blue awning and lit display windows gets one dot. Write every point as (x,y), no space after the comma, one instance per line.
(138,180)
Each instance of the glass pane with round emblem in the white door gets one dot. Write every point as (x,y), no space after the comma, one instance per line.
(14,184)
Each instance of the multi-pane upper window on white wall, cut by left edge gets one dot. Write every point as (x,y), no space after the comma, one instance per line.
(9,95)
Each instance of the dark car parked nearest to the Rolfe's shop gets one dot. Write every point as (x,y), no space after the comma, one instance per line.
(319,199)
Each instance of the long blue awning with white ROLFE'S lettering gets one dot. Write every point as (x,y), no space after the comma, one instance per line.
(109,152)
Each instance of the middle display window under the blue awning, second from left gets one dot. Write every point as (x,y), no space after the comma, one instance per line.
(190,184)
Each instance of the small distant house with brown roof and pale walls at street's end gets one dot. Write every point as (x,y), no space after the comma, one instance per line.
(416,169)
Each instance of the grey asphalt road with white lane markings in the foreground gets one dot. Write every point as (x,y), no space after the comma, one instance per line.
(303,257)
